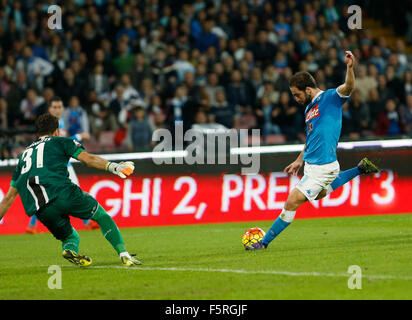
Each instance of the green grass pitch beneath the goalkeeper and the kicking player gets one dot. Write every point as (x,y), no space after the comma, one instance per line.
(309,260)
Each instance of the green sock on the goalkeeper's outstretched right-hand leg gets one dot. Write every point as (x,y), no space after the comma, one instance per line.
(109,229)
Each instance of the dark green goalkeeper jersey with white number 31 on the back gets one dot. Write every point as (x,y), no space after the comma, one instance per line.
(41,173)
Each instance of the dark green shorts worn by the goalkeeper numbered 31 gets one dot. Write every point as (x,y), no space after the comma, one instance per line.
(73,202)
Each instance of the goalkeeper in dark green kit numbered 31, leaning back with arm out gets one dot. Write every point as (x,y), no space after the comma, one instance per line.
(42,180)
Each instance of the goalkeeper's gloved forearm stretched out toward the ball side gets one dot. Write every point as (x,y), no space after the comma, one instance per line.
(122,169)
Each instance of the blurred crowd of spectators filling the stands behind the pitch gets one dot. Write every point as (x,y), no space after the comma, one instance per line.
(126,68)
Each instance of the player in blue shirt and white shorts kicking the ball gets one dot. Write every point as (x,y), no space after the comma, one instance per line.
(323,117)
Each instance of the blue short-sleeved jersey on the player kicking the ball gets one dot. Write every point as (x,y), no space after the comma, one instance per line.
(323,118)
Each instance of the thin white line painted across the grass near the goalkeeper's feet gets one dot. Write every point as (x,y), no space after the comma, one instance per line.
(242,271)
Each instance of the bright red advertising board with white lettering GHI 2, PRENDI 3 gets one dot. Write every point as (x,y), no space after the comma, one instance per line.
(192,199)
